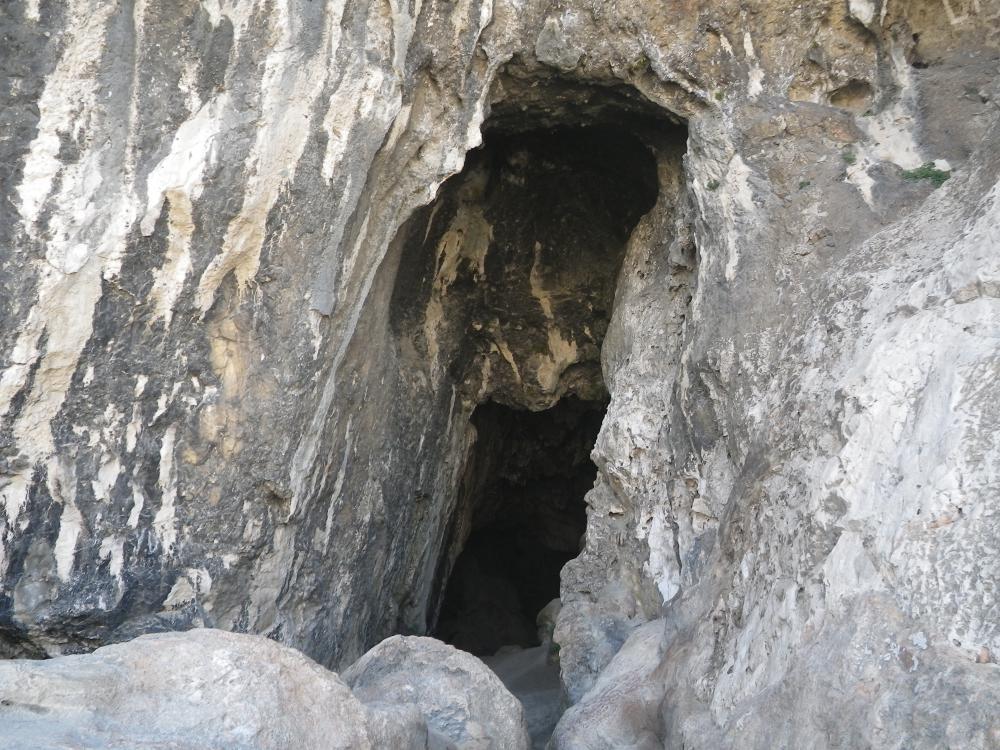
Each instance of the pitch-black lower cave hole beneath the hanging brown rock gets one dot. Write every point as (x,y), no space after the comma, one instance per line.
(529,473)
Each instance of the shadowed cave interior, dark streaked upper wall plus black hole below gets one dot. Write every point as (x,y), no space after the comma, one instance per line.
(559,204)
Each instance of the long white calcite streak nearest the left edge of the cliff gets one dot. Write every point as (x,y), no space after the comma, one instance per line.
(85,239)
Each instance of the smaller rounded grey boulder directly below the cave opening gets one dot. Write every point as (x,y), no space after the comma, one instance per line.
(464,704)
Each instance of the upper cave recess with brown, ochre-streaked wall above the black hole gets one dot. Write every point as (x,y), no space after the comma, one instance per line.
(518,256)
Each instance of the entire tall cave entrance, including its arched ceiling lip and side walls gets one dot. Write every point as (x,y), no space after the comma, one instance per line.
(504,291)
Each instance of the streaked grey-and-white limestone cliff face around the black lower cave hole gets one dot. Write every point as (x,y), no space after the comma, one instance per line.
(241,338)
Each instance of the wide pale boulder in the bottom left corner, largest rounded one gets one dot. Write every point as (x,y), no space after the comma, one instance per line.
(199,689)
